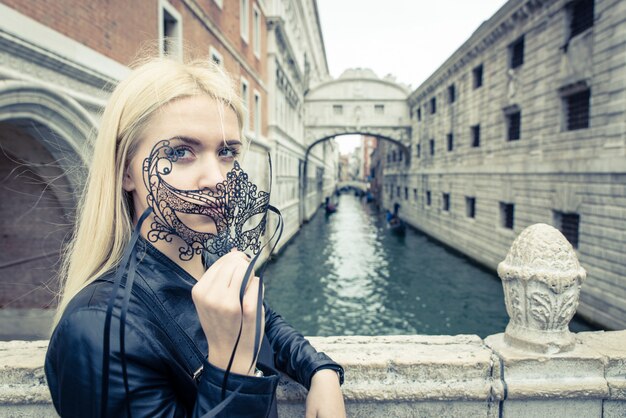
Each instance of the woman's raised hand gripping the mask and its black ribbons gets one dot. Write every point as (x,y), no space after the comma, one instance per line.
(216,296)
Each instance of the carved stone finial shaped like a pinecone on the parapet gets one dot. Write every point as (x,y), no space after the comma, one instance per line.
(541,278)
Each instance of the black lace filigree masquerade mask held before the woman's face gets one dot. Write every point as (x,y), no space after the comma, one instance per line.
(236,207)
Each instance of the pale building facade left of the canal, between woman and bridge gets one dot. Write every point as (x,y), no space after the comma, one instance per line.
(296,60)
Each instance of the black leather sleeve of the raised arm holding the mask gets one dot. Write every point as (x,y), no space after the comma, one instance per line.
(74,372)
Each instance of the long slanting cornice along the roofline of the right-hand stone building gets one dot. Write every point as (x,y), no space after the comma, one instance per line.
(488,33)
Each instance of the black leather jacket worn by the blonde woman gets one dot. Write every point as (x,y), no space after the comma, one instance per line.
(162,360)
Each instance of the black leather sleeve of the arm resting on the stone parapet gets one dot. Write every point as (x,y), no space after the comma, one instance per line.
(294,354)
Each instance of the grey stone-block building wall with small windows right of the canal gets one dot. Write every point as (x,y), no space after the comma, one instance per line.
(550,170)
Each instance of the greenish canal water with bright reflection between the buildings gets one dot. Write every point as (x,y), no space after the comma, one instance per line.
(346,274)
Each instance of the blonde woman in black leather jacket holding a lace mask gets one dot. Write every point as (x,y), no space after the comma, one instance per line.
(143,327)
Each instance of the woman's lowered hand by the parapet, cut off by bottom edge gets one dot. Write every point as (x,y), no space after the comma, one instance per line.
(325,399)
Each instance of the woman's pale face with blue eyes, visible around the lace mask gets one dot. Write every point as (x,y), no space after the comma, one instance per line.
(205,136)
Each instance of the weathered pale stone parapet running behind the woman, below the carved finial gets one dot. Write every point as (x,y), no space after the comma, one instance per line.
(409,376)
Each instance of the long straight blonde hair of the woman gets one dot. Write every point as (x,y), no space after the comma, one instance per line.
(104,223)
